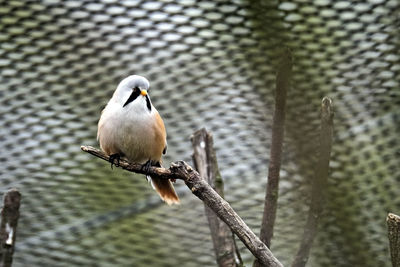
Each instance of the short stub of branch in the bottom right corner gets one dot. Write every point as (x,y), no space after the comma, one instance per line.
(393,223)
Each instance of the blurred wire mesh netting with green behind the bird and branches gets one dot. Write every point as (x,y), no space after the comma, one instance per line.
(210,64)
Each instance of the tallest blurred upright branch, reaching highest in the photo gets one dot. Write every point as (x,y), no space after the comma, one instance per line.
(271,197)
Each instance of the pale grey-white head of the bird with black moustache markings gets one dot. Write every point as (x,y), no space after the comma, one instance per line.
(133,89)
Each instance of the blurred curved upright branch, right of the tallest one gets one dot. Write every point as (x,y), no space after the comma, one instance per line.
(319,184)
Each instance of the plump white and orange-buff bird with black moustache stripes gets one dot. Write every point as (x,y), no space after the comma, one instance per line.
(131,127)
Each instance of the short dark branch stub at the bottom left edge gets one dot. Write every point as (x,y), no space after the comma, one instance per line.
(8,226)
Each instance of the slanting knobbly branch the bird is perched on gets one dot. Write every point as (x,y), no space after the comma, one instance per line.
(199,187)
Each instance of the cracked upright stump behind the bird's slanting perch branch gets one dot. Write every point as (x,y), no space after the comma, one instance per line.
(205,162)
